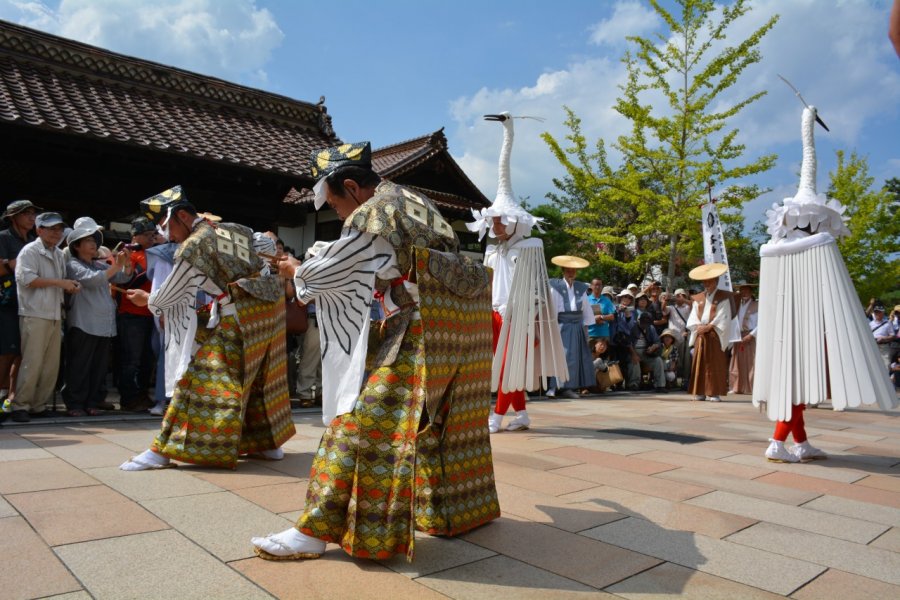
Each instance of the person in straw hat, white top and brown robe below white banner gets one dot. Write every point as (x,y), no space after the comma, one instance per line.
(709,325)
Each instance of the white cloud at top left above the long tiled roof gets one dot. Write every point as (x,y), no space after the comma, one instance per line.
(231,39)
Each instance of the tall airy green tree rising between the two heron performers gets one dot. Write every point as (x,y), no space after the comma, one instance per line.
(646,211)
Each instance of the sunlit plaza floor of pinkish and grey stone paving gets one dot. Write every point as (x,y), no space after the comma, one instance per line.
(609,496)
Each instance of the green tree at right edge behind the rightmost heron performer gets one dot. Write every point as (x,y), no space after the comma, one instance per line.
(871,250)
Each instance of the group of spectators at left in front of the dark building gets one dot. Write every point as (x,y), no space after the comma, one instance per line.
(68,329)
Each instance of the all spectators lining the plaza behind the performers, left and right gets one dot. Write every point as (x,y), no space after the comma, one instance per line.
(66,325)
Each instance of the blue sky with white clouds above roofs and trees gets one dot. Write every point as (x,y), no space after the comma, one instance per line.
(392,70)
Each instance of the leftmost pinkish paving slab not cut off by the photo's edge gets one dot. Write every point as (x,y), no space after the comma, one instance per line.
(80,514)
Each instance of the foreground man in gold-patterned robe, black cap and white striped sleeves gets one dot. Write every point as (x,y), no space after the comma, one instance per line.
(404,403)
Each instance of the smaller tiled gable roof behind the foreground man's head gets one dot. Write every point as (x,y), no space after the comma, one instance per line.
(394,161)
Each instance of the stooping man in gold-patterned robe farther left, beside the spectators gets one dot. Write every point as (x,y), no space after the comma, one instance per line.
(227,379)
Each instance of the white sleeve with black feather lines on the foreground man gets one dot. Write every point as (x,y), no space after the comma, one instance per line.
(341,279)
